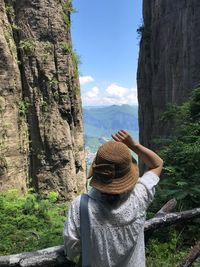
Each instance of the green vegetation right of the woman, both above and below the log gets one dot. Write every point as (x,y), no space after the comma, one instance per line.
(181,154)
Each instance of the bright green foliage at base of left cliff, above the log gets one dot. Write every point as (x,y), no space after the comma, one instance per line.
(30,222)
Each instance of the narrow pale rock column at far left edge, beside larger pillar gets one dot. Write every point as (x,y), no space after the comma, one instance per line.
(13,130)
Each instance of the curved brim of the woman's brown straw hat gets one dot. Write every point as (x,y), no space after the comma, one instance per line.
(118,185)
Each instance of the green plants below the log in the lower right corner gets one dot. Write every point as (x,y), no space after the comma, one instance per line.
(168,246)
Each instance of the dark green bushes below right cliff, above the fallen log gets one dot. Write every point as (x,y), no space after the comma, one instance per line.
(181,154)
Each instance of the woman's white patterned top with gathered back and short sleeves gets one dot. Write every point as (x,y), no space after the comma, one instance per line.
(117,233)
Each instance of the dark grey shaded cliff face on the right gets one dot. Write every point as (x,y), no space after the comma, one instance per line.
(169,65)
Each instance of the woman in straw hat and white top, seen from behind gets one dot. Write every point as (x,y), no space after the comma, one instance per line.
(117,204)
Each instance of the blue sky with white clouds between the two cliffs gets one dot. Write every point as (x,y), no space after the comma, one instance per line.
(104,34)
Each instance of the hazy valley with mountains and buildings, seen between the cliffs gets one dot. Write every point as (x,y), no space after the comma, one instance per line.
(100,122)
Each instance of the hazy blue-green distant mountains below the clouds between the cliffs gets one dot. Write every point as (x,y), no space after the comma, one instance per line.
(103,121)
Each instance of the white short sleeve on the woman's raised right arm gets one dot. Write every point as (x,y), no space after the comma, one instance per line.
(145,187)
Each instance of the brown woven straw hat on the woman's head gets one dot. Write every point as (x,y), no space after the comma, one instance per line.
(113,170)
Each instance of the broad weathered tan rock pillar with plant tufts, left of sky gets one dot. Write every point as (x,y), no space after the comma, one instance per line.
(49,94)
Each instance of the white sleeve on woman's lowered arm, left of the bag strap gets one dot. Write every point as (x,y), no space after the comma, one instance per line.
(71,231)
